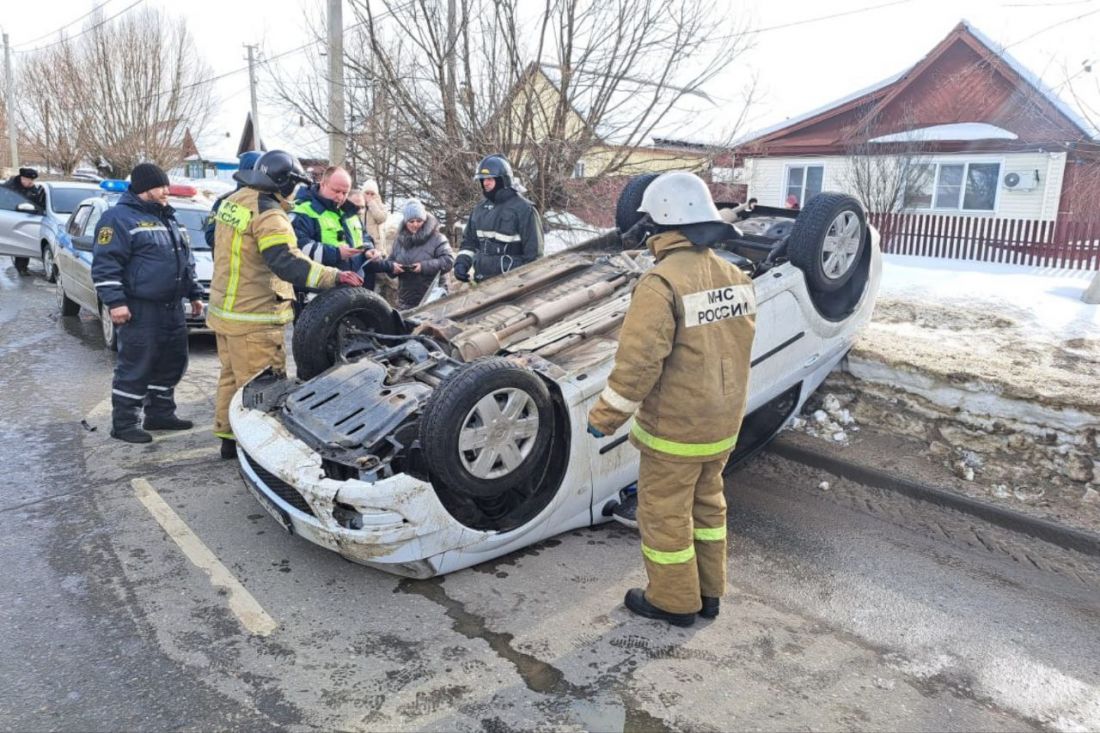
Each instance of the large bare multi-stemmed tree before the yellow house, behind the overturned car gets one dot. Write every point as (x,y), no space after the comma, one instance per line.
(434,85)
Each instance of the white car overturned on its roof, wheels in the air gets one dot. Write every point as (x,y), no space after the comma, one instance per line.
(430,441)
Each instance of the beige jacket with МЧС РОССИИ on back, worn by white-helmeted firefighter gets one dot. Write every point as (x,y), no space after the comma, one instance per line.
(683,366)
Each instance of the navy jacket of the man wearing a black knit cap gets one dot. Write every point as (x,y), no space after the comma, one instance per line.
(142,253)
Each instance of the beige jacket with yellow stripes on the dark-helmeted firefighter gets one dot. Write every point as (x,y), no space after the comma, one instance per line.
(256,262)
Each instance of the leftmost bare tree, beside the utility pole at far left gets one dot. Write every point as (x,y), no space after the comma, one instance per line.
(50,107)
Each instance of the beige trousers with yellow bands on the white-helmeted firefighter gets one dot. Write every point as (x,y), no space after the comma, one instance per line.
(683,521)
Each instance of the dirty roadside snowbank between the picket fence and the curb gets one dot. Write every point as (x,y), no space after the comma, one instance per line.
(995,369)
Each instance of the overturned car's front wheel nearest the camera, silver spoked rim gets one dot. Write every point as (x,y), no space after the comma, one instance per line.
(487,430)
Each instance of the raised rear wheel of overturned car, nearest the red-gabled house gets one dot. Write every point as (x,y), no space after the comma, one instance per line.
(828,242)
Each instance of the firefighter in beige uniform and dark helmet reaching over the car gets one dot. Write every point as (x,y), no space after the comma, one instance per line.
(256,265)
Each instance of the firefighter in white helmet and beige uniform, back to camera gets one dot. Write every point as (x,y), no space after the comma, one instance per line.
(683,370)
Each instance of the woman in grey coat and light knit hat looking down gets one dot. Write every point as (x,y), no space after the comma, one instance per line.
(421,253)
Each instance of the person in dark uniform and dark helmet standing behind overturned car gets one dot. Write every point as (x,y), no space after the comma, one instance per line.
(504,232)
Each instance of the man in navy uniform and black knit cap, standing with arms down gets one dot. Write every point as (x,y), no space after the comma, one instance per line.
(144,269)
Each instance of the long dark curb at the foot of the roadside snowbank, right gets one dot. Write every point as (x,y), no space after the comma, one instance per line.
(1071,539)
